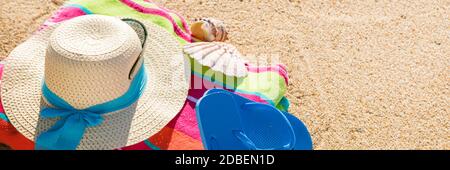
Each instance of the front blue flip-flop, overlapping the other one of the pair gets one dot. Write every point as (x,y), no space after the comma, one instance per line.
(230,122)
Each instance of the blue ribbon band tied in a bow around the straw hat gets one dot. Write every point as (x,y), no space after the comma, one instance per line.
(68,131)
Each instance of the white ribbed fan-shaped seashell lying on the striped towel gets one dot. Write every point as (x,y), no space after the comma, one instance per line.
(218,56)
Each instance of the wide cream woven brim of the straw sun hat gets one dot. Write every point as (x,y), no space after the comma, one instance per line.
(164,96)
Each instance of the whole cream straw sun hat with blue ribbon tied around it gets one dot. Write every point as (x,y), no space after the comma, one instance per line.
(112,82)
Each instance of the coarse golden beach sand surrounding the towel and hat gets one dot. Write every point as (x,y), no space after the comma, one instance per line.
(364,74)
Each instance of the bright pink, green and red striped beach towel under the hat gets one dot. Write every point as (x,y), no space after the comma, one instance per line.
(182,133)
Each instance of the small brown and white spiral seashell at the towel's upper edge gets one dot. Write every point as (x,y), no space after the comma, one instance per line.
(209,30)
